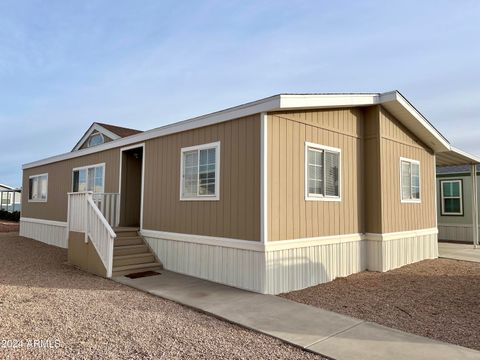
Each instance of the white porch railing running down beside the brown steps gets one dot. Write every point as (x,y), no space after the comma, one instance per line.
(85,216)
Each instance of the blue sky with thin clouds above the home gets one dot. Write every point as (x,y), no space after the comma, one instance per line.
(142,64)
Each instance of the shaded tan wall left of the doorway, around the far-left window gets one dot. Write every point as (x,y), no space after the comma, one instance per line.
(60,183)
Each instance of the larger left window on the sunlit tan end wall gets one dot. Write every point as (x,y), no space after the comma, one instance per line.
(322,172)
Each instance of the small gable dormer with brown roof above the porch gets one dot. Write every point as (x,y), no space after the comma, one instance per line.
(99,133)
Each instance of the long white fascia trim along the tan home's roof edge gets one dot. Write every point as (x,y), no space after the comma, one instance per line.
(393,101)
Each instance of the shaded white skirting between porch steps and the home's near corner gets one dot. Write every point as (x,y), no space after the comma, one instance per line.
(236,267)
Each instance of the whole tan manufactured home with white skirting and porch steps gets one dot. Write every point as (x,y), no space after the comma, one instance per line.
(270,196)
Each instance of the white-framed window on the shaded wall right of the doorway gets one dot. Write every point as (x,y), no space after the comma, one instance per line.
(200,178)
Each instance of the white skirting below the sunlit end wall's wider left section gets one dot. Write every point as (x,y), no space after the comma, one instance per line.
(301,267)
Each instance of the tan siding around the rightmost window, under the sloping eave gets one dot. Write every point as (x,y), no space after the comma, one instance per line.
(397,141)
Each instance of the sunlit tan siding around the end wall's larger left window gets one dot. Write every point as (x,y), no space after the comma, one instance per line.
(290,216)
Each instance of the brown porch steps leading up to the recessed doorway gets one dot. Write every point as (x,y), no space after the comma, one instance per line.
(131,254)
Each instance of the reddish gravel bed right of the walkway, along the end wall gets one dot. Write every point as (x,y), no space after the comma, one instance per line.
(439,299)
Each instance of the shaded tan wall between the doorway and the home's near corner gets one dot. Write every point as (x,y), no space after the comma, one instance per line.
(237,213)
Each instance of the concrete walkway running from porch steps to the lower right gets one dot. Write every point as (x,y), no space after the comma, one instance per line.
(327,333)
